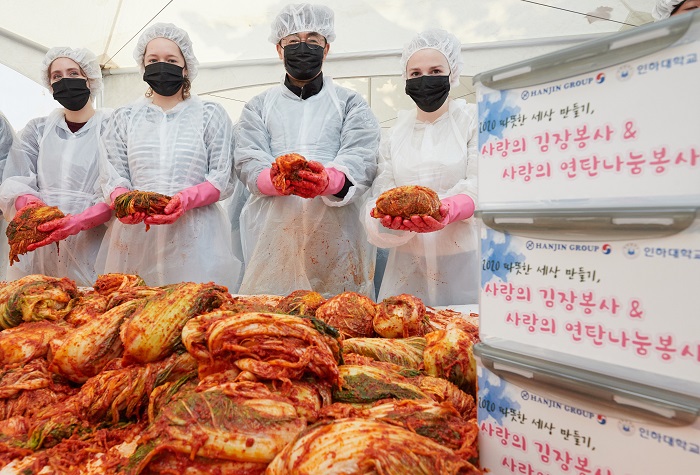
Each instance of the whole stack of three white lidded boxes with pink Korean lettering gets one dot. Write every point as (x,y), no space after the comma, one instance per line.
(589,199)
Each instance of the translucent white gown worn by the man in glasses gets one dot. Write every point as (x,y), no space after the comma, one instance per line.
(292,243)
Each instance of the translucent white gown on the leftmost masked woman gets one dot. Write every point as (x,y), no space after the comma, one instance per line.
(62,169)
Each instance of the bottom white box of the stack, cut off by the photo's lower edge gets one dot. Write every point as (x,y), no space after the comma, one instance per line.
(526,430)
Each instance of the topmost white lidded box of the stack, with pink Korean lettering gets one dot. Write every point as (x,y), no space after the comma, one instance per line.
(609,124)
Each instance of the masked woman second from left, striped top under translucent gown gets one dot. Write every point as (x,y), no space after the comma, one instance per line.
(171,142)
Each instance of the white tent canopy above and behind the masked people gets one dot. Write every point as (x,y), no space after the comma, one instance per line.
(230,39)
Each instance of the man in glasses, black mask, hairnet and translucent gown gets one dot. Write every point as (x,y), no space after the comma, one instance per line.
(307,236)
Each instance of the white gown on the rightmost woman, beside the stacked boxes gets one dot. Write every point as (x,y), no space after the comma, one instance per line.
(440,267)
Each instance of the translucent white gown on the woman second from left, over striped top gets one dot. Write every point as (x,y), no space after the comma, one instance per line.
(149,149)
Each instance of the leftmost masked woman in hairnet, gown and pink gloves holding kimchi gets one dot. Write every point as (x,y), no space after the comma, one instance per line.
(55,162)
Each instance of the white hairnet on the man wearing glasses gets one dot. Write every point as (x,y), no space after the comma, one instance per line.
(295,18)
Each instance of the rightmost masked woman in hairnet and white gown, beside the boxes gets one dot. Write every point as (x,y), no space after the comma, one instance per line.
(434,145)
